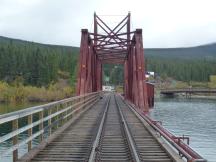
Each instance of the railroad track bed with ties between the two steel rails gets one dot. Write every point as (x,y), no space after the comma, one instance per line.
(113,144)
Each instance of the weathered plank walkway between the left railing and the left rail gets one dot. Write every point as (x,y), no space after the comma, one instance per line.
(74,144)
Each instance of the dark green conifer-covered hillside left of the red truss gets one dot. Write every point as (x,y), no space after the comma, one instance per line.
(34,63)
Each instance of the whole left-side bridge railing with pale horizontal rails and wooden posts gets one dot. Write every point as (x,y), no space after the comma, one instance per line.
(46,118)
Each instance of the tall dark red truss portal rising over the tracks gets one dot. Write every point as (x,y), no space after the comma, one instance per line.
(119,45)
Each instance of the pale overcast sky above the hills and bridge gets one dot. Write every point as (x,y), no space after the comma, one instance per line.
(165,23)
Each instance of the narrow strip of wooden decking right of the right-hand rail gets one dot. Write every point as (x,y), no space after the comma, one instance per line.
(148,148)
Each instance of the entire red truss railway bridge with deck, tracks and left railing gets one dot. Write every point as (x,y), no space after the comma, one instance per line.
(98,126)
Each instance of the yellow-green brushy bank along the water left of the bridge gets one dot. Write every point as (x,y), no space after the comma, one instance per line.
(18,93)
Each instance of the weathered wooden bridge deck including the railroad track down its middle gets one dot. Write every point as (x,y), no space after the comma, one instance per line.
(109,131)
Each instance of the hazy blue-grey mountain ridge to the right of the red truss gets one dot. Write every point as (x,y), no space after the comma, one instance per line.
(207,51)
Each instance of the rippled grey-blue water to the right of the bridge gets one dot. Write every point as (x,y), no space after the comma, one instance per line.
(195,117)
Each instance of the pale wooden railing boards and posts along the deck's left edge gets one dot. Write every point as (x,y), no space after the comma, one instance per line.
(63,115)
